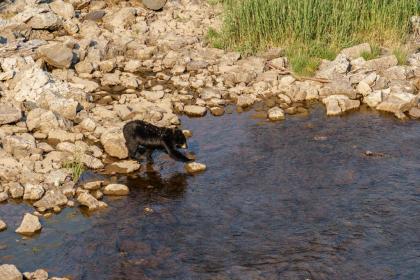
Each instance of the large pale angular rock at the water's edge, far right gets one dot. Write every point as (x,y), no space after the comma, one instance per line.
(397,103)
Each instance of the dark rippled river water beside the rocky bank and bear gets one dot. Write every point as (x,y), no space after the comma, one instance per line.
(289,200)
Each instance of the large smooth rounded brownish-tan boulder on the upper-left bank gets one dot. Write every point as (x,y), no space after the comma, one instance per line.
(57,55)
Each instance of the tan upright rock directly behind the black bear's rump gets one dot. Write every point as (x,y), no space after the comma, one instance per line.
(114,143)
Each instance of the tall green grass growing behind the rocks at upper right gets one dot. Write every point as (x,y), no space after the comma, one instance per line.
(320,28)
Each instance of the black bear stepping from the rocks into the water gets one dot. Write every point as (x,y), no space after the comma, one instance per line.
(142,138)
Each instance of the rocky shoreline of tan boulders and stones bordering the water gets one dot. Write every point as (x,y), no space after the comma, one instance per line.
(73,72)
